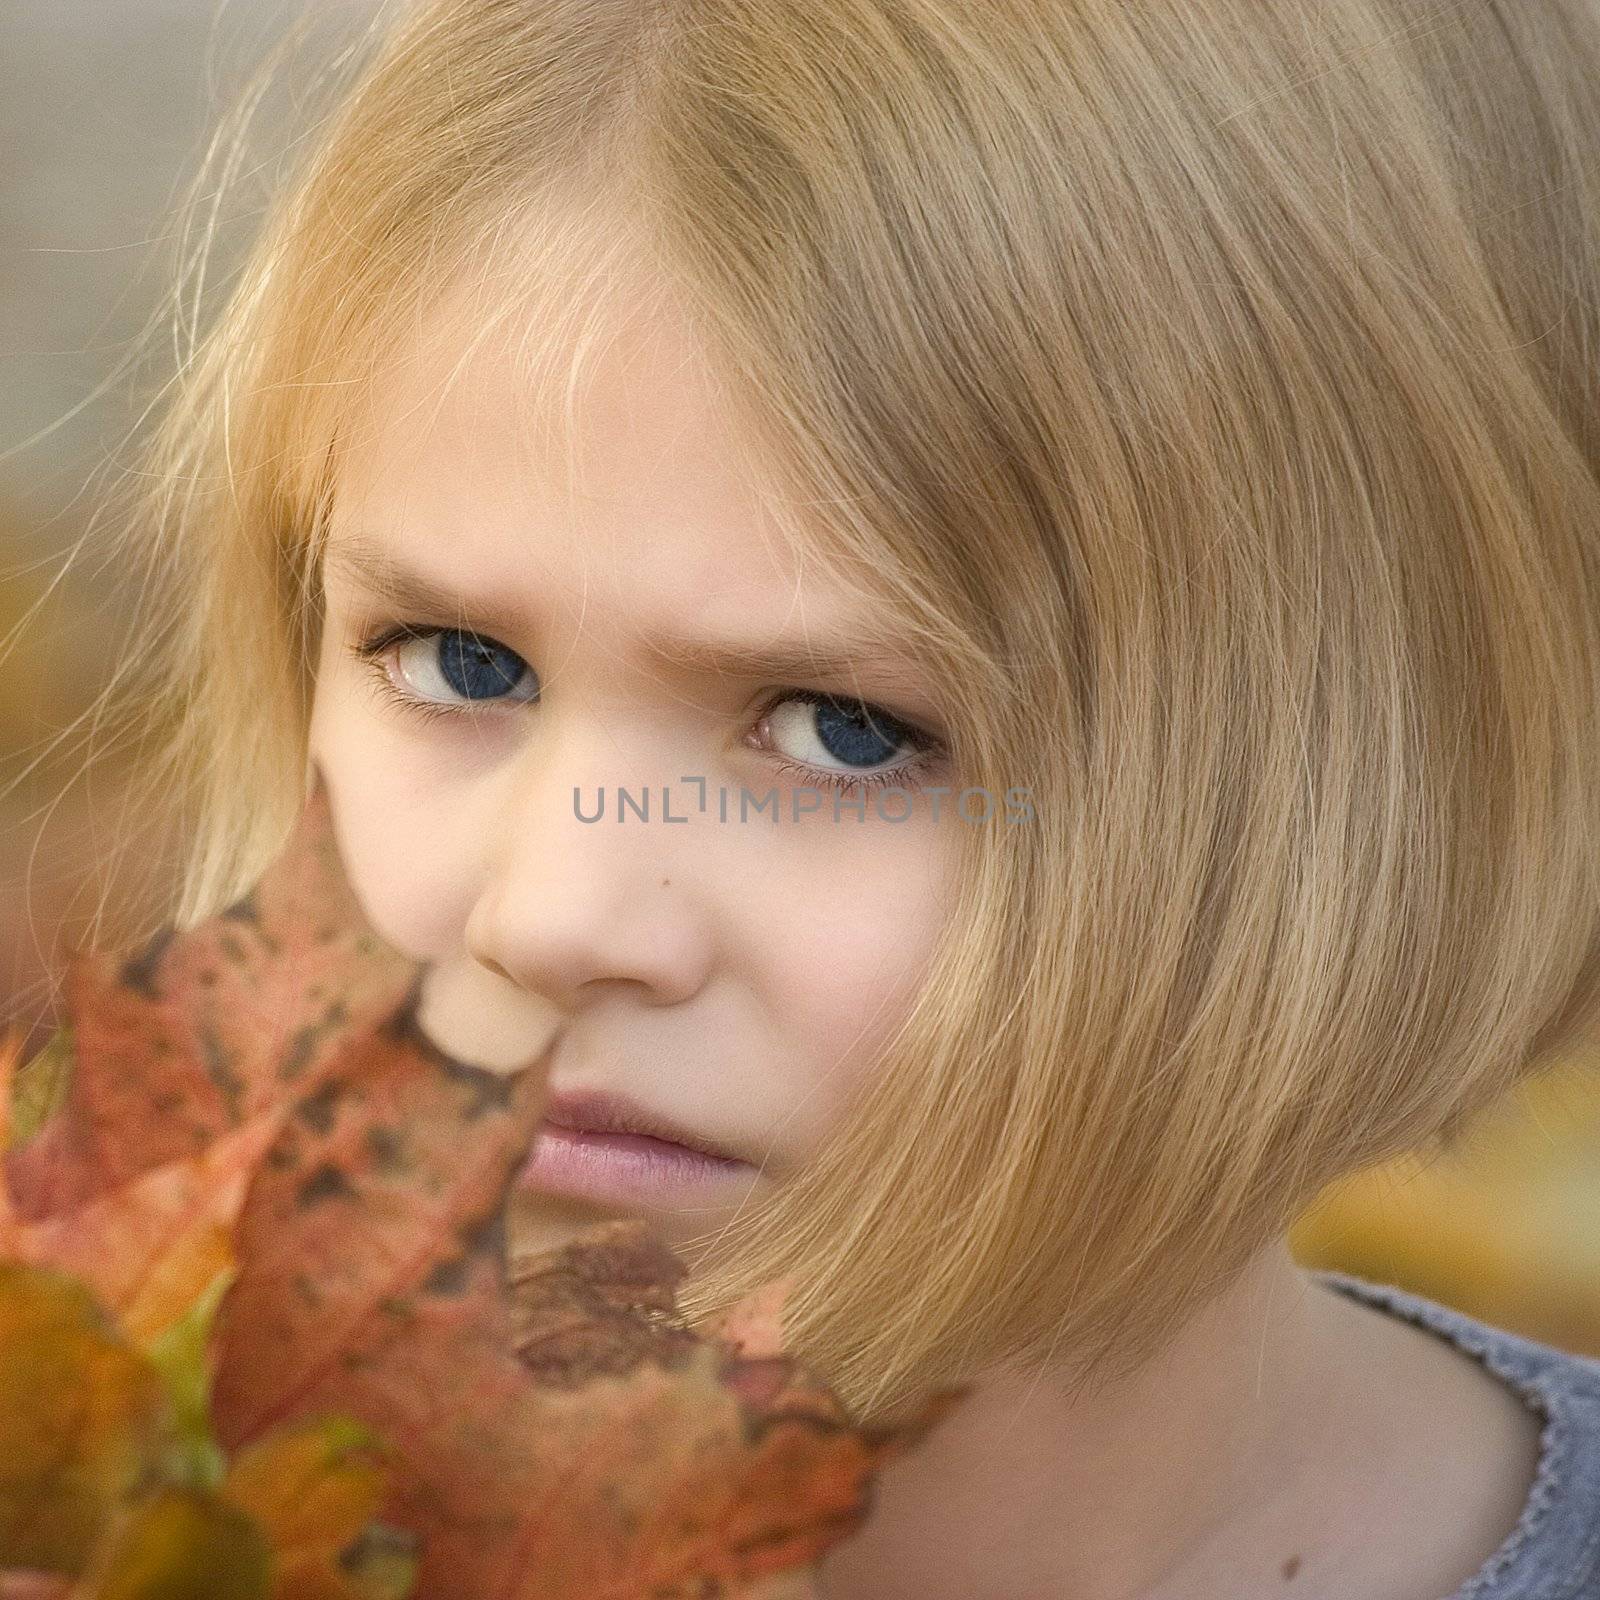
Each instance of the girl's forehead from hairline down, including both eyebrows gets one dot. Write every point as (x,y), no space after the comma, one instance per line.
(644,514)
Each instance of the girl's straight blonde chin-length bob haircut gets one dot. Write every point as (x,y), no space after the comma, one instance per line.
(1210,391)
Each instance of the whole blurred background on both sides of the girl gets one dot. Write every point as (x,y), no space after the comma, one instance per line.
(105,114)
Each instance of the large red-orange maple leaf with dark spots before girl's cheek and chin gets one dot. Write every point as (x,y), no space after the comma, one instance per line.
(556,1436)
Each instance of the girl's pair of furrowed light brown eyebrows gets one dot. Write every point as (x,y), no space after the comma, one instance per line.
(830,657)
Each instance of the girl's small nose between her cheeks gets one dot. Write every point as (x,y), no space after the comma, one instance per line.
(570,908)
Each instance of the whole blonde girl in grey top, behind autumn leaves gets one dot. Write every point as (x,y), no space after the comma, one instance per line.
(1076,527)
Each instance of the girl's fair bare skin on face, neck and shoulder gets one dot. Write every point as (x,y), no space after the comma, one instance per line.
(740,978)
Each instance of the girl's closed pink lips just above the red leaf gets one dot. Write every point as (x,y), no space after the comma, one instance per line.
(612,1151)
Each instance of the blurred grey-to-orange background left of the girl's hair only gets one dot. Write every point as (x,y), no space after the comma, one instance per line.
(106,113)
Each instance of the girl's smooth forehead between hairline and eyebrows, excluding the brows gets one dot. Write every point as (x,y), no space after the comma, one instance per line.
(468,434)
